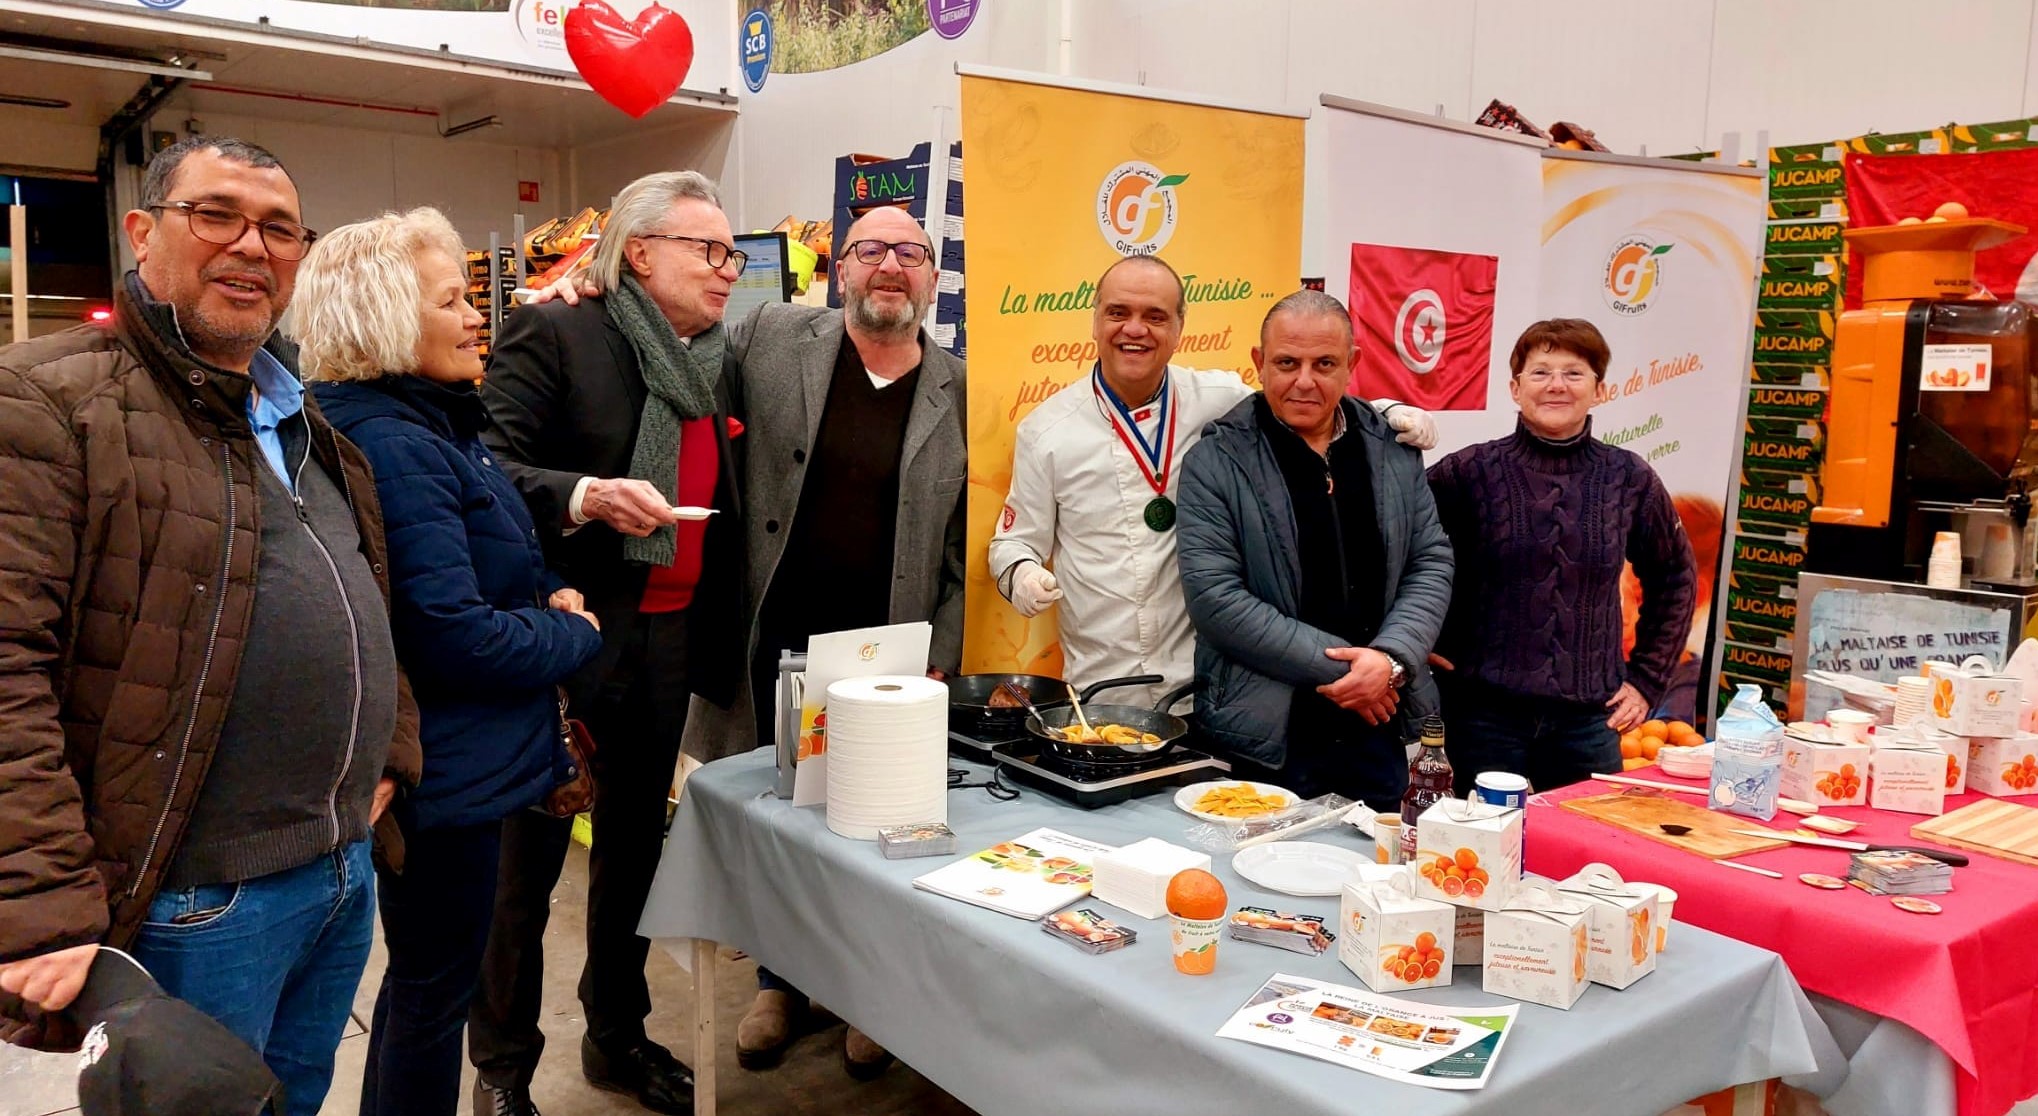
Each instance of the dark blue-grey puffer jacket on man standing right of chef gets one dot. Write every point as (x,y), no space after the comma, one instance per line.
(1242,575)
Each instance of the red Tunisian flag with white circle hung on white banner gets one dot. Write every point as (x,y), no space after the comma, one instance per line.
(1426,327)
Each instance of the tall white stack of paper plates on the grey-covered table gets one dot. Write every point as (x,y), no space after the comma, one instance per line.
(888,755)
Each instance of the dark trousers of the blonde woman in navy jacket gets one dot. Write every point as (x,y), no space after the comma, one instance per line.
(435,926)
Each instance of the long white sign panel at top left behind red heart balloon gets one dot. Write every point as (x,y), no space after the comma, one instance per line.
(517,34)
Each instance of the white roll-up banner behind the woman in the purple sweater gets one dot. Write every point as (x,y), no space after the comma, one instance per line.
(1662,260)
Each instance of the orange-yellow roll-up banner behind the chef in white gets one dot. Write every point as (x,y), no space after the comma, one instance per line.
(1063,182)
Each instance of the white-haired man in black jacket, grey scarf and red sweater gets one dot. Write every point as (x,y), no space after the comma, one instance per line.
(610,414)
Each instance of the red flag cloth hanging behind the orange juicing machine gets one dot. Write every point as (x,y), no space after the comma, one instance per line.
(1992,184)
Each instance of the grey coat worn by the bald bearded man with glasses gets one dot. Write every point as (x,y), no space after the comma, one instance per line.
(788,355)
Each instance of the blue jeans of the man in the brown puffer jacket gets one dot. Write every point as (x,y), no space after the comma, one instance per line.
(276,960)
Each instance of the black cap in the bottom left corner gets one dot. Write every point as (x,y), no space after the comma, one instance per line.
(152,1054)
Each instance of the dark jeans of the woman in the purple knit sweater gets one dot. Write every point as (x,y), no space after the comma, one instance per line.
(1544,740)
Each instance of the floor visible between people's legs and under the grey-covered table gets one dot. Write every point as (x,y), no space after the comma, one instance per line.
(808,1082)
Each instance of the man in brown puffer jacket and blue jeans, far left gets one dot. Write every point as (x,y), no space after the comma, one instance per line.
(156,797)
